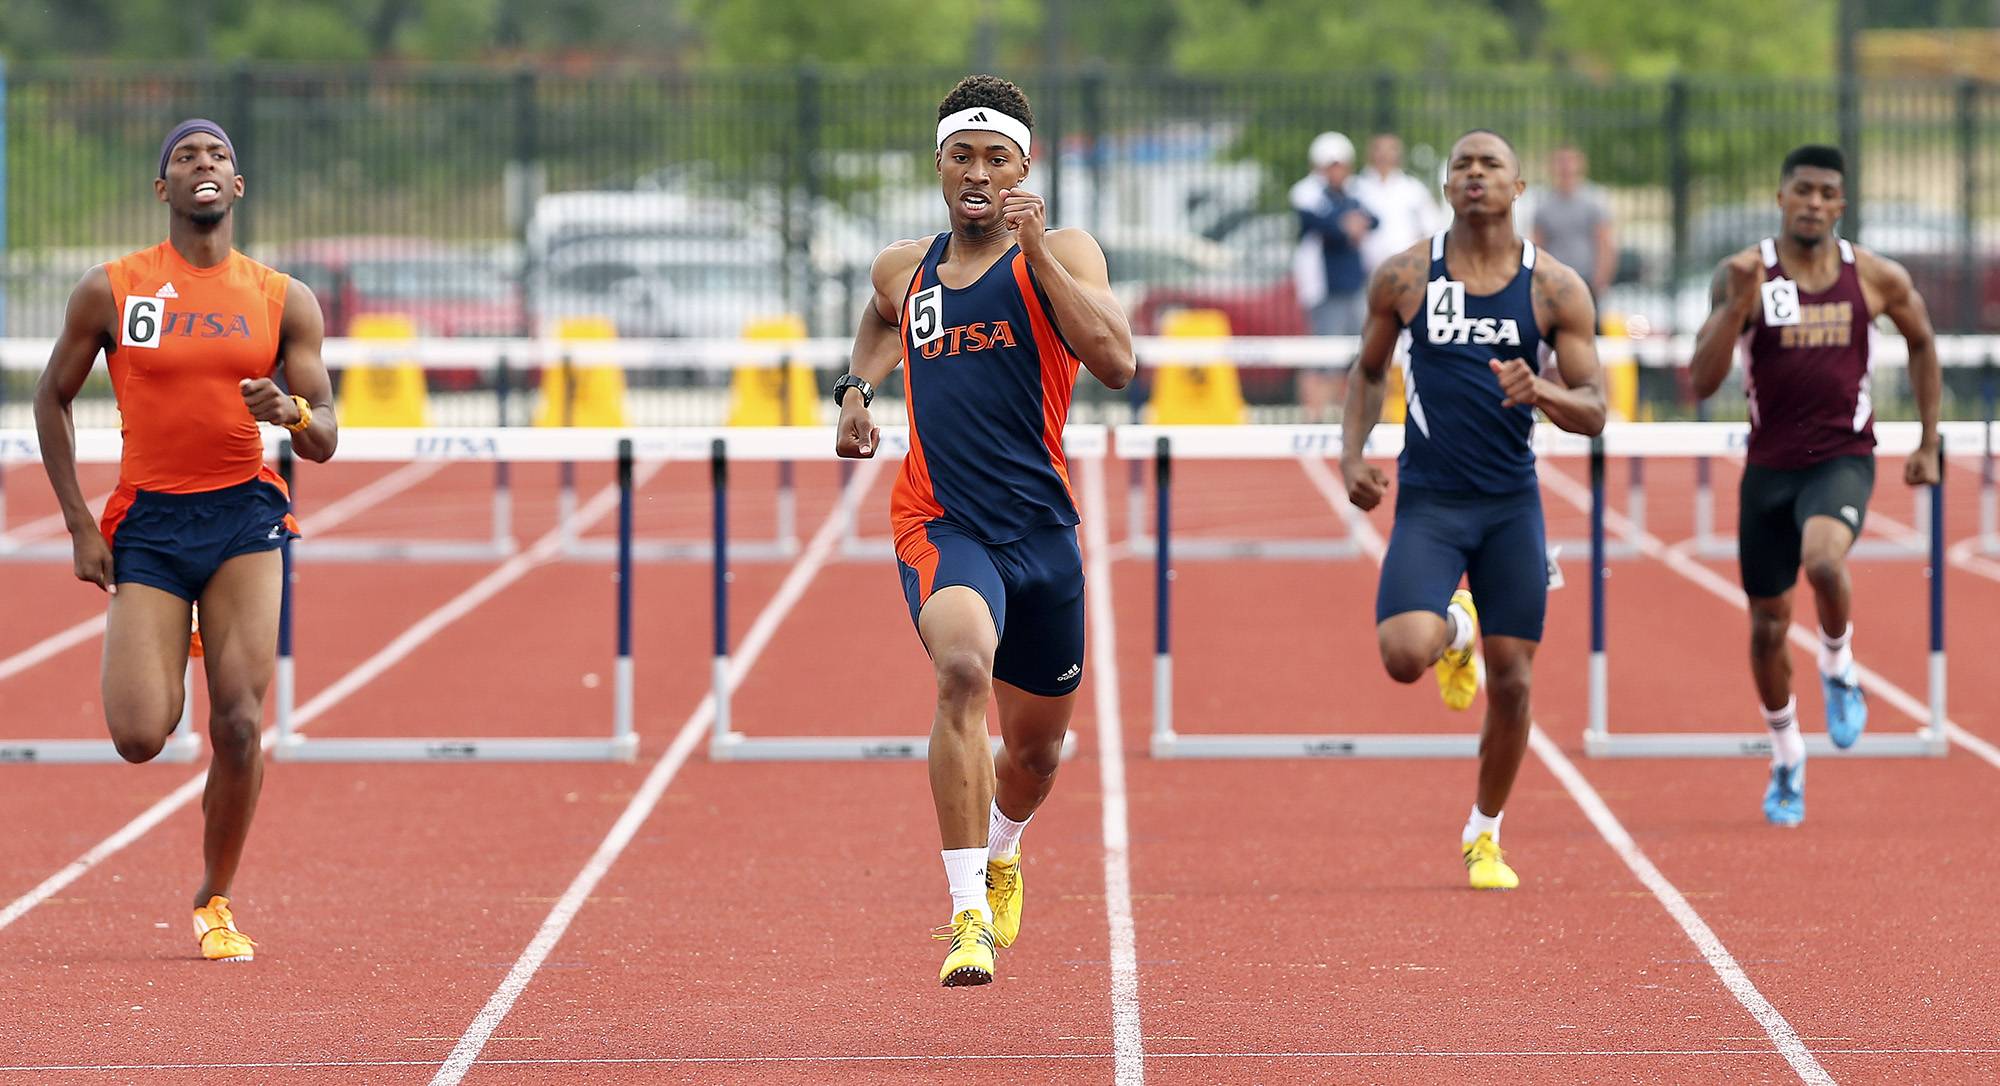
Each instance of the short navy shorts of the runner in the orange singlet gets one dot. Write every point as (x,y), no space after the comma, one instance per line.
(175,543)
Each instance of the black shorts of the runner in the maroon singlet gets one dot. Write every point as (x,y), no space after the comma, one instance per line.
(1771,525)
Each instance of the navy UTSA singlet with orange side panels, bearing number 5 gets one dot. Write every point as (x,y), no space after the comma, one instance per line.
(989,383)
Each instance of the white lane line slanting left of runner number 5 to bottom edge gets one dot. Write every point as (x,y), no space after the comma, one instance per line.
(649,795)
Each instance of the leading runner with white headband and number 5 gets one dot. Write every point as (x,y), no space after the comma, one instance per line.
(991,323)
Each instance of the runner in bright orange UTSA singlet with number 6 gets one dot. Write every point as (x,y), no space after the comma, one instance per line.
(195,335)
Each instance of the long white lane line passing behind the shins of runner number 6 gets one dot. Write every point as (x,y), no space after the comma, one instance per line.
(491,585)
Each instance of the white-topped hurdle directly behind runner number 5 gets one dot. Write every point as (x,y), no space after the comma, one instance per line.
(727,445)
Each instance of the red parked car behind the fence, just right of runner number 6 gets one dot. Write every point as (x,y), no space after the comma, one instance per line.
(443,289)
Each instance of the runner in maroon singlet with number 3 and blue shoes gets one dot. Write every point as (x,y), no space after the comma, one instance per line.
(1801,307)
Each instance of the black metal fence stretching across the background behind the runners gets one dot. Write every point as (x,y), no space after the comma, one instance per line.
(473,201)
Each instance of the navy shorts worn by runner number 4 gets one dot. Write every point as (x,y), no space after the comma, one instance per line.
(1495,541)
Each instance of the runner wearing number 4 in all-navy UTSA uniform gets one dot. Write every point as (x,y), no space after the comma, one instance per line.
(1483,309)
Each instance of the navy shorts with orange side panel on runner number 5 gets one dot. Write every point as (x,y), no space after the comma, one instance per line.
(1035,589)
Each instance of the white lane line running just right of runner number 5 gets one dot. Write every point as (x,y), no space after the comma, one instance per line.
(1129,1045)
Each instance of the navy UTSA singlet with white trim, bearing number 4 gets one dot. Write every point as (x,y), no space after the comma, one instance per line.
(1457,435)
